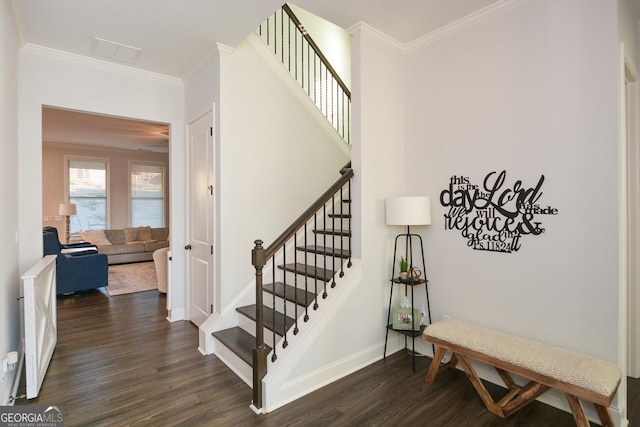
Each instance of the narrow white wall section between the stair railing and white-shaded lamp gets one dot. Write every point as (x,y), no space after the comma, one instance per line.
(378,158)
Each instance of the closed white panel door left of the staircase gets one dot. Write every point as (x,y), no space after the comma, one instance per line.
(200,234)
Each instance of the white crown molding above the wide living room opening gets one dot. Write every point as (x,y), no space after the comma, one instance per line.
(98,64)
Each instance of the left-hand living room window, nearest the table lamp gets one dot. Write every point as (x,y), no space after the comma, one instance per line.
(88,190)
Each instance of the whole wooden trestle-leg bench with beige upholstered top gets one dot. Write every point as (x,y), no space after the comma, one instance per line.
(546,367)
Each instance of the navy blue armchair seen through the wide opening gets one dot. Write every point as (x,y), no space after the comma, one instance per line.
(77,271)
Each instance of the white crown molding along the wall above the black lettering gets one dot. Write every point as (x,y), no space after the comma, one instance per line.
(463,23)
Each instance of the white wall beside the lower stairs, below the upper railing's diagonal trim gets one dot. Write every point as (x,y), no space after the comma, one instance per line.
(274,161)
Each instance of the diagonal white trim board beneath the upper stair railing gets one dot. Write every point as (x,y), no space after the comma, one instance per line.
(289,81)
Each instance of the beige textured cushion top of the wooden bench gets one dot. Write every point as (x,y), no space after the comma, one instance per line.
(587,372)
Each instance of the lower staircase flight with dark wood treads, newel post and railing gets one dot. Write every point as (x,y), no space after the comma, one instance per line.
(304,263)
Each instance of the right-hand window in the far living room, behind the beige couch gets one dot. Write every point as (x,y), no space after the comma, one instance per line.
(147,195)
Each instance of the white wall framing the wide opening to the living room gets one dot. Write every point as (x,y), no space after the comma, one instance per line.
(56,79)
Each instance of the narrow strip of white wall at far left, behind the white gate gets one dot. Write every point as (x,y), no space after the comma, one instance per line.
(9,274)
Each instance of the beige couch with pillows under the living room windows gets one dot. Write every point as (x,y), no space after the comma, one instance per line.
(126,245)
